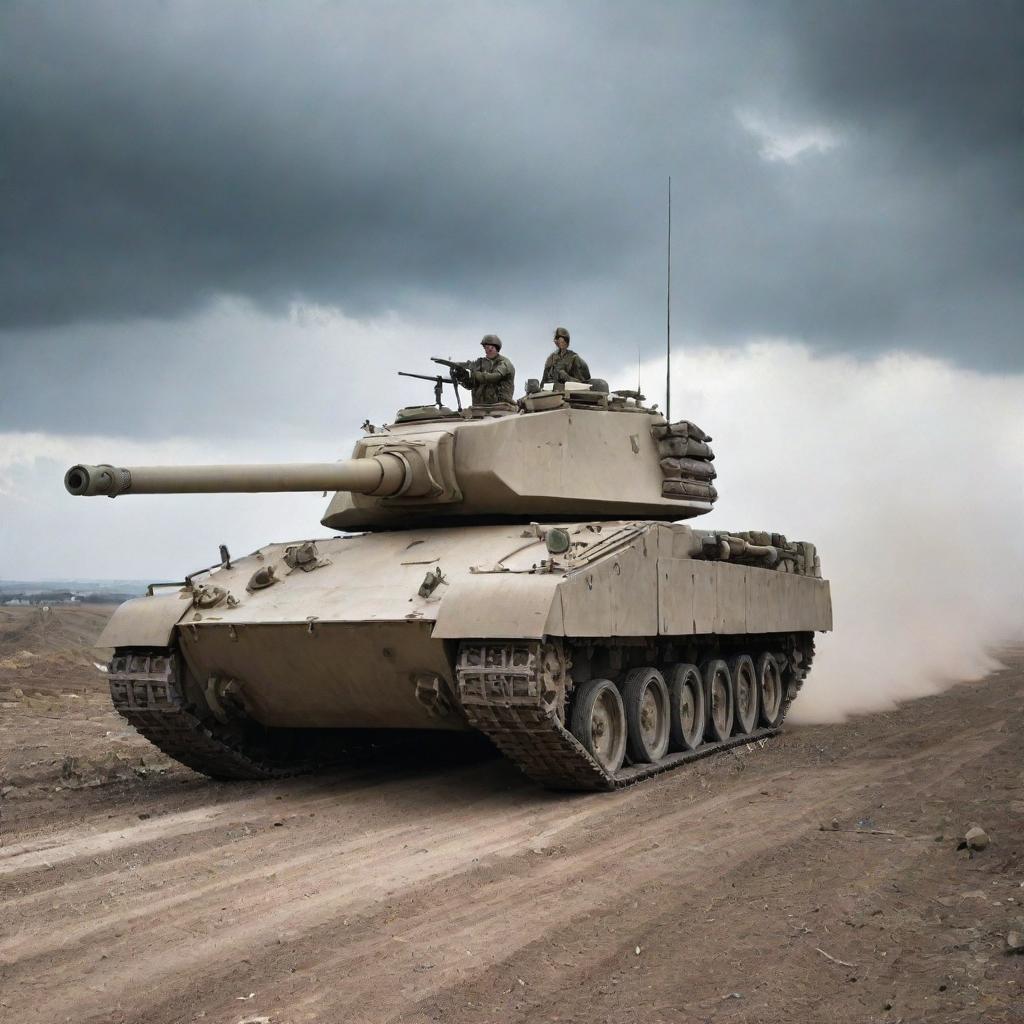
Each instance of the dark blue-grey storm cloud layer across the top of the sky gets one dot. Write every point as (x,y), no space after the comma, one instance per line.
(503,158)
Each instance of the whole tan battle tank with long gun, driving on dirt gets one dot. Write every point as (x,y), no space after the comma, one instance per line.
(528,572)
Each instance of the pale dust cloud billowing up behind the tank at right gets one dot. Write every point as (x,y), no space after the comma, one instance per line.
(908,474)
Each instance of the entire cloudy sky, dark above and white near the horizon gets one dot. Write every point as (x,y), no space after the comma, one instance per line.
(227,227)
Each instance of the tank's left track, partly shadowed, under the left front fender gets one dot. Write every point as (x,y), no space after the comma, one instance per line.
(147,690)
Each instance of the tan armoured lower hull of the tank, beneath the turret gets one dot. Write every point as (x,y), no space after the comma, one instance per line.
(391,630)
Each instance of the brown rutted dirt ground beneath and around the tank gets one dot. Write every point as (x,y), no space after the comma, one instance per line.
(144,893)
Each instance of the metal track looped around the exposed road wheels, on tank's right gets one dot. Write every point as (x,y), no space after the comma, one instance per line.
(511,694)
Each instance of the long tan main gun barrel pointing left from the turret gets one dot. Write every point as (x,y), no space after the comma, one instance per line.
(381,476)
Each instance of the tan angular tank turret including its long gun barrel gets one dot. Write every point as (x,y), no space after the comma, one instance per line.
(579,454)
